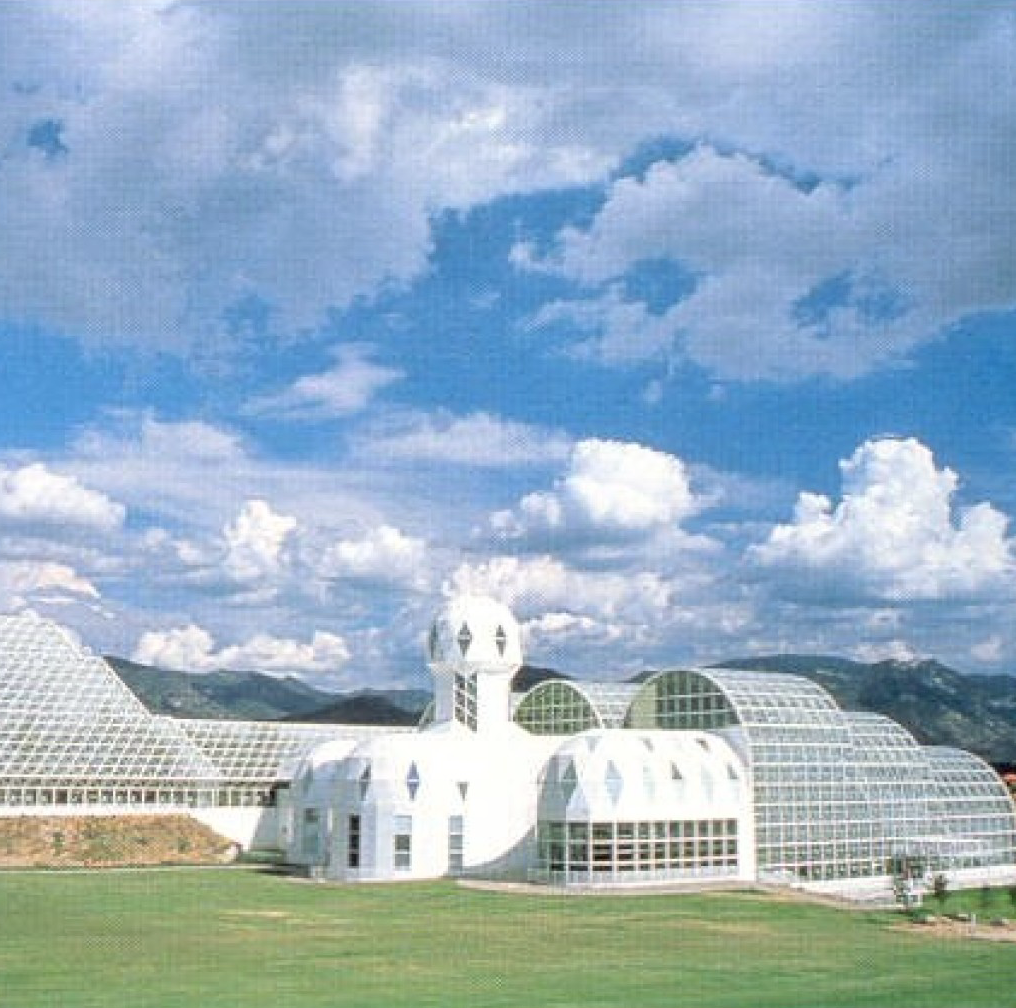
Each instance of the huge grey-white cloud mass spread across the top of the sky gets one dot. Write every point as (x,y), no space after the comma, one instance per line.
(298,155)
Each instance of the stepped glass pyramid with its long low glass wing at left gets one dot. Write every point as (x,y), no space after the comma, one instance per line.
(74,734)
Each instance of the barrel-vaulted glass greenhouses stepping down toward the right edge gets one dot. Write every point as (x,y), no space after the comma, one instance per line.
(837,795)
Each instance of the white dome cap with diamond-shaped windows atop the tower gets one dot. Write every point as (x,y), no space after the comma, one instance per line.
(475,633)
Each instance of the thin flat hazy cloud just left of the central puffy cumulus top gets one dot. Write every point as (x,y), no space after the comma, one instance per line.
(479,439)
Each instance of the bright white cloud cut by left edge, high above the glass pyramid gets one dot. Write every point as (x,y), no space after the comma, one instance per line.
(35,494)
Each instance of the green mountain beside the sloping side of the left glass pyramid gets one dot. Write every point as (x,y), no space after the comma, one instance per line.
(231,696)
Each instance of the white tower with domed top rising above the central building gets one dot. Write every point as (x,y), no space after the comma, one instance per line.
(474,650)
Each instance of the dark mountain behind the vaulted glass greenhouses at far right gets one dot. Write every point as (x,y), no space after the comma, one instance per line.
(939,706)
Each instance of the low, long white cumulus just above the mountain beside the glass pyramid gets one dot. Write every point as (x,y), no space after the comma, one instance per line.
(193,649)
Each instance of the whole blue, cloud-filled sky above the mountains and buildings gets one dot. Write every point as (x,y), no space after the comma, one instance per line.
(685,330)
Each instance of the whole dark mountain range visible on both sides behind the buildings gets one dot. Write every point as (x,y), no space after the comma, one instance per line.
(939,705)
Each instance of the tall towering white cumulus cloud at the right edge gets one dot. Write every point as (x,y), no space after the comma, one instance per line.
(894,537)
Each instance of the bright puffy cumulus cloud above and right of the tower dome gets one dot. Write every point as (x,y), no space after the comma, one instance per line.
(609,489)
